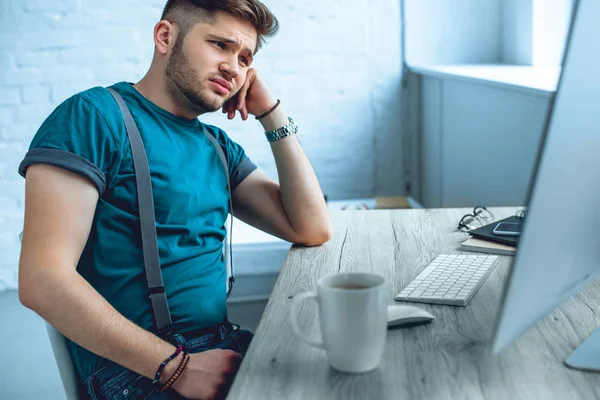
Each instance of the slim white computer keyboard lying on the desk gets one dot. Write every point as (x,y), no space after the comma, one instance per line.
(449,279)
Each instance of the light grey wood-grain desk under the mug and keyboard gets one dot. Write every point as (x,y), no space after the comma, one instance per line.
(447,359)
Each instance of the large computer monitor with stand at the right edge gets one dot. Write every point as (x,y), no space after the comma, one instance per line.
(559,249)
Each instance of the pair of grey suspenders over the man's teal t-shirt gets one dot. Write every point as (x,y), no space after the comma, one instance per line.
(156,289)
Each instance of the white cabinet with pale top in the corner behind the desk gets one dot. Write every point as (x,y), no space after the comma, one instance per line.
(480,136)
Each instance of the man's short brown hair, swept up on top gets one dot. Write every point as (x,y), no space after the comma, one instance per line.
(187,13)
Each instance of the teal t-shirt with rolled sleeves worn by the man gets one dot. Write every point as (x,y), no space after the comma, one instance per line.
(86,134)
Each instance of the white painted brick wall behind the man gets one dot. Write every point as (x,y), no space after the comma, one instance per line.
(335,65)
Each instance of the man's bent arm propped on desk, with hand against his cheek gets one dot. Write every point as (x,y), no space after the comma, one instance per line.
(295,209)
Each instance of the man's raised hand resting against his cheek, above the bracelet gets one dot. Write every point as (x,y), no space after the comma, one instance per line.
(254,98)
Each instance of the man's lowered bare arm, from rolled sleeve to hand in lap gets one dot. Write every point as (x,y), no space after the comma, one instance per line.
(59,210)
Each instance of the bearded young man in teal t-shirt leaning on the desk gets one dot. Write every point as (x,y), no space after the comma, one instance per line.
(81,265)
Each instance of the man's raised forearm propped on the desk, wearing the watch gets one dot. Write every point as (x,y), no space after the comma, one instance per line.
(301,194)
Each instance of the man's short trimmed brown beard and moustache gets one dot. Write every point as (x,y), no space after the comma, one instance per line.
(184,84)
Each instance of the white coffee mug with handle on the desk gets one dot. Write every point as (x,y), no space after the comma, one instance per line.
(353,319)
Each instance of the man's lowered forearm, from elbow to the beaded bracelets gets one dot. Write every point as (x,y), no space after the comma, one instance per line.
(79,312)
